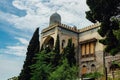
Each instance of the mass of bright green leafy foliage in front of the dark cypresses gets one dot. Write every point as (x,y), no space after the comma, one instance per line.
(44,70)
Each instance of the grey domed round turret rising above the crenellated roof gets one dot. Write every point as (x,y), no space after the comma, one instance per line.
(54,18)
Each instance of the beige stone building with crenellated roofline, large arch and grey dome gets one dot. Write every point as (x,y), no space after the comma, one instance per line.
(89,52)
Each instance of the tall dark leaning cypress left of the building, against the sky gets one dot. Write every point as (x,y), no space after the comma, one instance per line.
(32,49)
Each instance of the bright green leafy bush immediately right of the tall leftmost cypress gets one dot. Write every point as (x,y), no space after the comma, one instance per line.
(42,68)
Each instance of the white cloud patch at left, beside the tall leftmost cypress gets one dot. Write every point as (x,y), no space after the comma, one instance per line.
(18,49)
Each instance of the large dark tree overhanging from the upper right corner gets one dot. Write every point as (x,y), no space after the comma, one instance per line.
(103,11)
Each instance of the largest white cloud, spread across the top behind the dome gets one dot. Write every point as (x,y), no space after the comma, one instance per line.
(39,11)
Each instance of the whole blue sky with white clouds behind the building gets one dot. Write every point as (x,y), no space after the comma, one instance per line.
(20,18)
